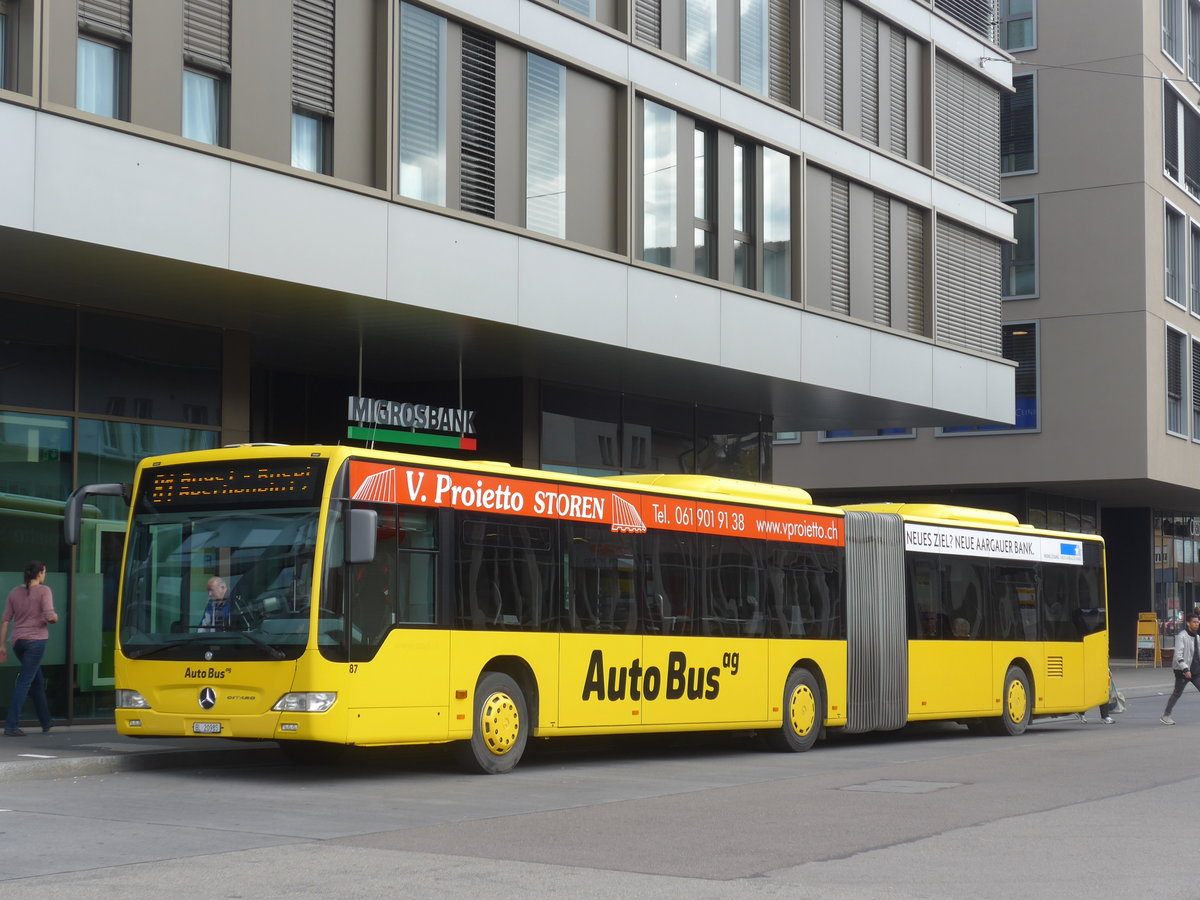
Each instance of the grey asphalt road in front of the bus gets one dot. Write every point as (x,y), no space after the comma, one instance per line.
(1066,812)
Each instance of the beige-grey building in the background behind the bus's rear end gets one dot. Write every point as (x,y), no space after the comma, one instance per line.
(1101,163)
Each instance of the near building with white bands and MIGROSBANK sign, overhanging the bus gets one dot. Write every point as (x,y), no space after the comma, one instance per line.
(617,236)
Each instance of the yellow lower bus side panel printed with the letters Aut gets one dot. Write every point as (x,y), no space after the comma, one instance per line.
(601,676)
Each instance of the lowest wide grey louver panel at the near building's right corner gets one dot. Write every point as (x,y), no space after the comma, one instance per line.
(968,290)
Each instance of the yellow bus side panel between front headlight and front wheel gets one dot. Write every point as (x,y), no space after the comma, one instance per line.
(401,695)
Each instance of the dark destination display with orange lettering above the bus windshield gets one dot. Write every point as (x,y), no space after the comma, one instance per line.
(248,483)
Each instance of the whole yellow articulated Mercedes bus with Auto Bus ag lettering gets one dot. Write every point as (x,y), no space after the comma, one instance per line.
(331,597)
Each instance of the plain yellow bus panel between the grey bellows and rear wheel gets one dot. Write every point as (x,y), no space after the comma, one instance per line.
(950,680)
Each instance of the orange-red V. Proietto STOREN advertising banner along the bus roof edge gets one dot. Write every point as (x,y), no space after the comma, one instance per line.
(623,512)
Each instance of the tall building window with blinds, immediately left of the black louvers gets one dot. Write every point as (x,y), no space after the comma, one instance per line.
(422,98)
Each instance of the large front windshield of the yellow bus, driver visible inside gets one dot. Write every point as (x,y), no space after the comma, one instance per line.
(232,584)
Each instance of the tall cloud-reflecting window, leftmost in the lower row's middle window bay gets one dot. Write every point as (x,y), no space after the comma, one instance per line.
(659,184)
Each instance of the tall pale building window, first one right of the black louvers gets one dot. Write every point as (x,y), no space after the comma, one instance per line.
(547,147)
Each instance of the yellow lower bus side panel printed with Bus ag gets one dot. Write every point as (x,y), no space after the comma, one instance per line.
(707,681)
